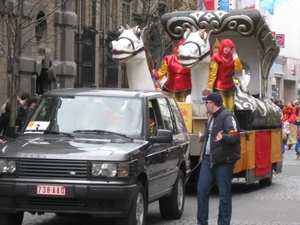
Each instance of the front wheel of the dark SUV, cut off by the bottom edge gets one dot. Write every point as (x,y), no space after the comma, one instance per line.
(137,211)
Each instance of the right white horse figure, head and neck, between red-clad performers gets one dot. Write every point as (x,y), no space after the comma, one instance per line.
(195,54)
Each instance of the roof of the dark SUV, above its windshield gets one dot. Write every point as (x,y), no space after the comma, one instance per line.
(108,92)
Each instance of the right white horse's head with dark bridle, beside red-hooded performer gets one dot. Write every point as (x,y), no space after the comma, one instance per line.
(196,48)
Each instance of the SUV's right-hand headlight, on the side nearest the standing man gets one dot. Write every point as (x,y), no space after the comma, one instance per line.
(110,169)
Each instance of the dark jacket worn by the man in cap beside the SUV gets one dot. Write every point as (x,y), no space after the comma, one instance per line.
(227,150)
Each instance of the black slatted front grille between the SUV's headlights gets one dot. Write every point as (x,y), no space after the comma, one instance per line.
(57,169)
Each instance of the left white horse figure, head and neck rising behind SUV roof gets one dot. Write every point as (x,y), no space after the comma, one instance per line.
(130,49)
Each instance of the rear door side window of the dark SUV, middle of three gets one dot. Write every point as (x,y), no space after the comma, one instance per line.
(167,116)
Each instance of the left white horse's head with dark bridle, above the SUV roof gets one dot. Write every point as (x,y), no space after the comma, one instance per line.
(129,43)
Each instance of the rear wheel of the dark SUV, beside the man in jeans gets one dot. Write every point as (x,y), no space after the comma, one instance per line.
(172,207)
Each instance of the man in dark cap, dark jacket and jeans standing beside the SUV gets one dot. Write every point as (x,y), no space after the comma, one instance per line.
(220,150)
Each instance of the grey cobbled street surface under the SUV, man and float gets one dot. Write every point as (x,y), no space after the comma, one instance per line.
(277,204)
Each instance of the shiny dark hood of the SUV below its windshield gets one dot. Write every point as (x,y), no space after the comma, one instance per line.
(53,147)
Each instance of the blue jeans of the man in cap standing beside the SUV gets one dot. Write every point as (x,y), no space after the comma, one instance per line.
(222,175)
